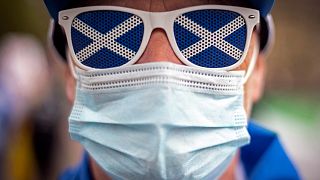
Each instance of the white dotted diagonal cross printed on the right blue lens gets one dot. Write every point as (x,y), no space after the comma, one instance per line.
(209,39)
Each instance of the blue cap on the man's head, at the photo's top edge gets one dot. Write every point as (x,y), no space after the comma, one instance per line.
(54,6)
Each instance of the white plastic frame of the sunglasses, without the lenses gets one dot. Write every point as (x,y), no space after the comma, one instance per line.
(162,20)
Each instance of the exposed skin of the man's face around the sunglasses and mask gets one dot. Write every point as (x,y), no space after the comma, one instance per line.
(159,49)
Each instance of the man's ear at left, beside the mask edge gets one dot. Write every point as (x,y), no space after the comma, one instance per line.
(70,85)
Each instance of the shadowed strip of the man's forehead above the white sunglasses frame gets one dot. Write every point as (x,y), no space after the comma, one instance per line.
(158,5)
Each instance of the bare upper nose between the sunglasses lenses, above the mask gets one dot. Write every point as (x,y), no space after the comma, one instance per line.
(158,49)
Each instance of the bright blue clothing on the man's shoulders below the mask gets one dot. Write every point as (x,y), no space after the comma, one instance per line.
(263,158)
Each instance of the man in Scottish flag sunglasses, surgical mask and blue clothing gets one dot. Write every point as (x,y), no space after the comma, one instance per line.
(163,89)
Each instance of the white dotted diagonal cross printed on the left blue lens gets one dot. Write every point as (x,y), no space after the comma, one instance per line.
(107,40)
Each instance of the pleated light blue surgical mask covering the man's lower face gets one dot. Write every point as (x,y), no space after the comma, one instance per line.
(160,120)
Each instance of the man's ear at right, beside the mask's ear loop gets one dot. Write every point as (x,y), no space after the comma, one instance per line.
(257,78)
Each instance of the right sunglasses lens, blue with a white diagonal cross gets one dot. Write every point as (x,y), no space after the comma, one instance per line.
(211,38)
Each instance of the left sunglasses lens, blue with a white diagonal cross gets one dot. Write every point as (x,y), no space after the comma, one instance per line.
(106,39)
